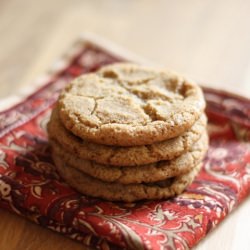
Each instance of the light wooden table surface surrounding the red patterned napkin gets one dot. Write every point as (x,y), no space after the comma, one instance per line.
(206,40)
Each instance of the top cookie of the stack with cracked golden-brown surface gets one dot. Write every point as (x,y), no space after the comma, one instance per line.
(127,105)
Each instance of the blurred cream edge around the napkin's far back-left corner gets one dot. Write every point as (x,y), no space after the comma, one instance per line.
(62,63)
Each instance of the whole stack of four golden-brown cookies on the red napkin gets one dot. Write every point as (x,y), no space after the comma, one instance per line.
(127,133)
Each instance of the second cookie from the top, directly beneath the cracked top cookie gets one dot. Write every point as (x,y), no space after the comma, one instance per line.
(125,156)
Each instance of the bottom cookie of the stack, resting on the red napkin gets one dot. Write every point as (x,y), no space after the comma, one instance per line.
(120,192)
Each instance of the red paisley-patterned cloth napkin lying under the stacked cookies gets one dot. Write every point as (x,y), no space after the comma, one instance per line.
(30,186)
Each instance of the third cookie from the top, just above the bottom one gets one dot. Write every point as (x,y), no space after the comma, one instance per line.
(145,173)
